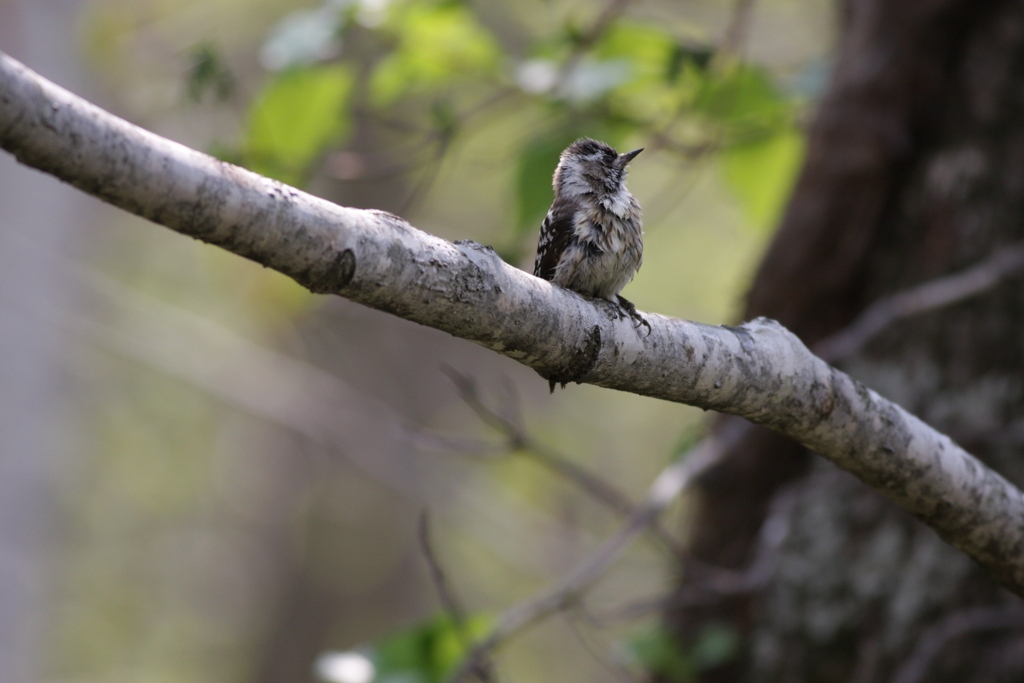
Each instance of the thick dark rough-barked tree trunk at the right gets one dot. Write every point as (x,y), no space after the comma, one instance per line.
(915,169)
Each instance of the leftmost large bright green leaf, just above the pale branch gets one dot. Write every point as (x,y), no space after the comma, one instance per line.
(300,113)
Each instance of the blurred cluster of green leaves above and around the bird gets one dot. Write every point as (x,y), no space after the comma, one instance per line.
(631,80)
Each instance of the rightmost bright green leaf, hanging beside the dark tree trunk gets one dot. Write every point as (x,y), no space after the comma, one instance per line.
(761,176)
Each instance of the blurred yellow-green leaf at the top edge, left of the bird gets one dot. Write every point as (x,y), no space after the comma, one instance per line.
(437,45)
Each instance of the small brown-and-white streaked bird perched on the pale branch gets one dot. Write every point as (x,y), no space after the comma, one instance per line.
(592,239)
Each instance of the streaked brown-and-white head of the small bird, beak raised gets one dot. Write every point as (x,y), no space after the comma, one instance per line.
(591,167)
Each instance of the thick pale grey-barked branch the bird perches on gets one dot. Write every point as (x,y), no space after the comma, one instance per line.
(758,371)
